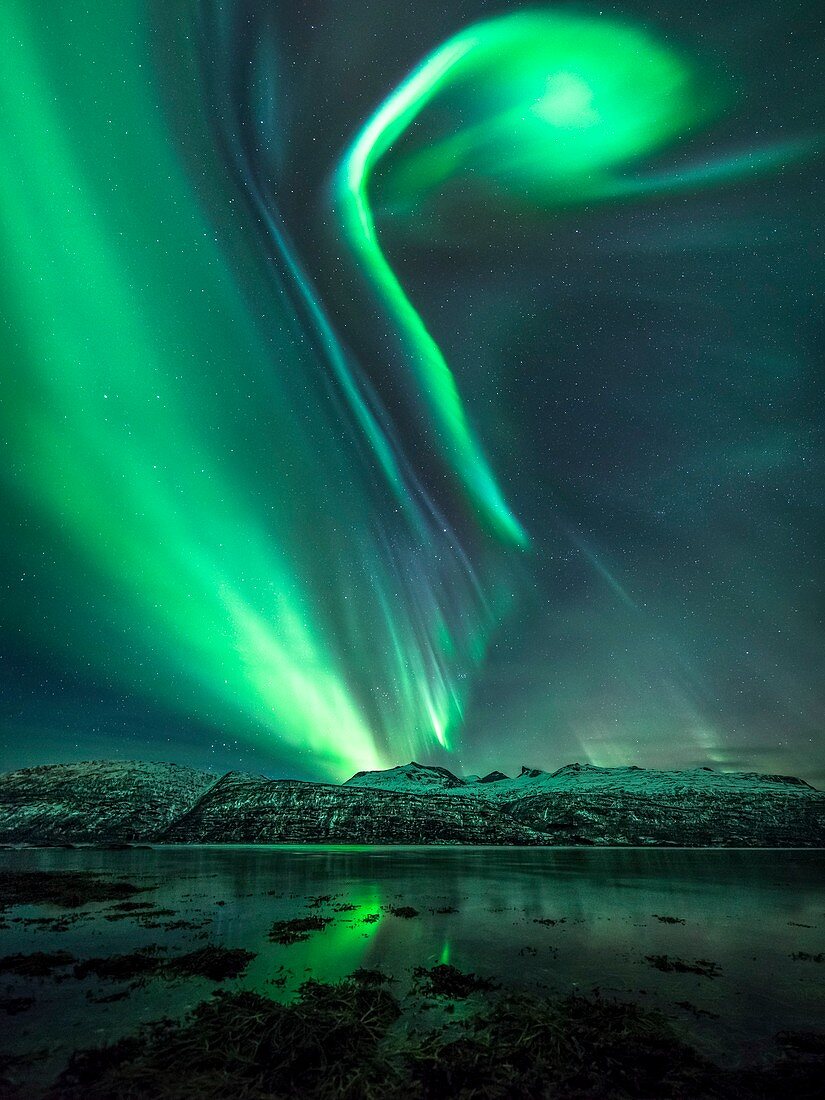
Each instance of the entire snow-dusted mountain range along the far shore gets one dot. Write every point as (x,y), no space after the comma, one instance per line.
(114,801)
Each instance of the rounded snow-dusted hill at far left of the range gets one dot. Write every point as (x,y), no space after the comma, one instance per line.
(109,800)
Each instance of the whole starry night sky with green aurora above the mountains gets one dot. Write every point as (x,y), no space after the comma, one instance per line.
(425,383)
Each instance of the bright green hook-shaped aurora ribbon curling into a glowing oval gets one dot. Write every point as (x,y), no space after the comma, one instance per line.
(547,102)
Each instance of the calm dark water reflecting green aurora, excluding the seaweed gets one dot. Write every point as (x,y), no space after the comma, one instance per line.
(746,911)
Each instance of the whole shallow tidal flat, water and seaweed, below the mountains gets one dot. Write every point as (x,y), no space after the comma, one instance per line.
(705,967)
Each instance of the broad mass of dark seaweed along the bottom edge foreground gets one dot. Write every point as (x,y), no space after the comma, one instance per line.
(338,1042)
